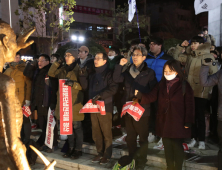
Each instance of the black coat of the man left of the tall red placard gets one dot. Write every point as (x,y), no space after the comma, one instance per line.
(44,88)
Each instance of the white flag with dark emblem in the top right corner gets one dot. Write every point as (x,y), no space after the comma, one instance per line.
(205,5)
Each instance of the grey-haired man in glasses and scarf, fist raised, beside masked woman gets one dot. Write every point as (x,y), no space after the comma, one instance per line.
(137,77)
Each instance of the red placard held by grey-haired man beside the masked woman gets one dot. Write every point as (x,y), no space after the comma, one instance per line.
(135,110)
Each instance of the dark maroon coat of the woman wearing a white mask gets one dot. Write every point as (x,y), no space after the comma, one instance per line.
(175,110)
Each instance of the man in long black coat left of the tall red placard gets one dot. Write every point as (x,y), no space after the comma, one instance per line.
(43,94)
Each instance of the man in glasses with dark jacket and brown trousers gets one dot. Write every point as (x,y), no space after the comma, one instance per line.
(101,87)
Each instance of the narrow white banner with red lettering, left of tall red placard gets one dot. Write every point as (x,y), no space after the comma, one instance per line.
(50,129)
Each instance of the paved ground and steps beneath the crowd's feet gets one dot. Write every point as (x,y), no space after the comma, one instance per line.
(194,160)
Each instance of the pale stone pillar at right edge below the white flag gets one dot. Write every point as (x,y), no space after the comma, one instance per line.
(214,24)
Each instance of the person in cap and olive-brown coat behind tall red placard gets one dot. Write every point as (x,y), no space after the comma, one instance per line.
(70,72)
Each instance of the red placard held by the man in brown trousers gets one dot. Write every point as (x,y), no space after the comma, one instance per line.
(89,107)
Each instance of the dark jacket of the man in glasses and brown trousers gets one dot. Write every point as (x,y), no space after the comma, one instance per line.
(100,82)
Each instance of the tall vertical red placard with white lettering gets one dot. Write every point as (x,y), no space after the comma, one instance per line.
(65,93)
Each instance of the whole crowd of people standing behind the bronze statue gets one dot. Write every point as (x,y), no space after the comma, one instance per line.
(173,89)
